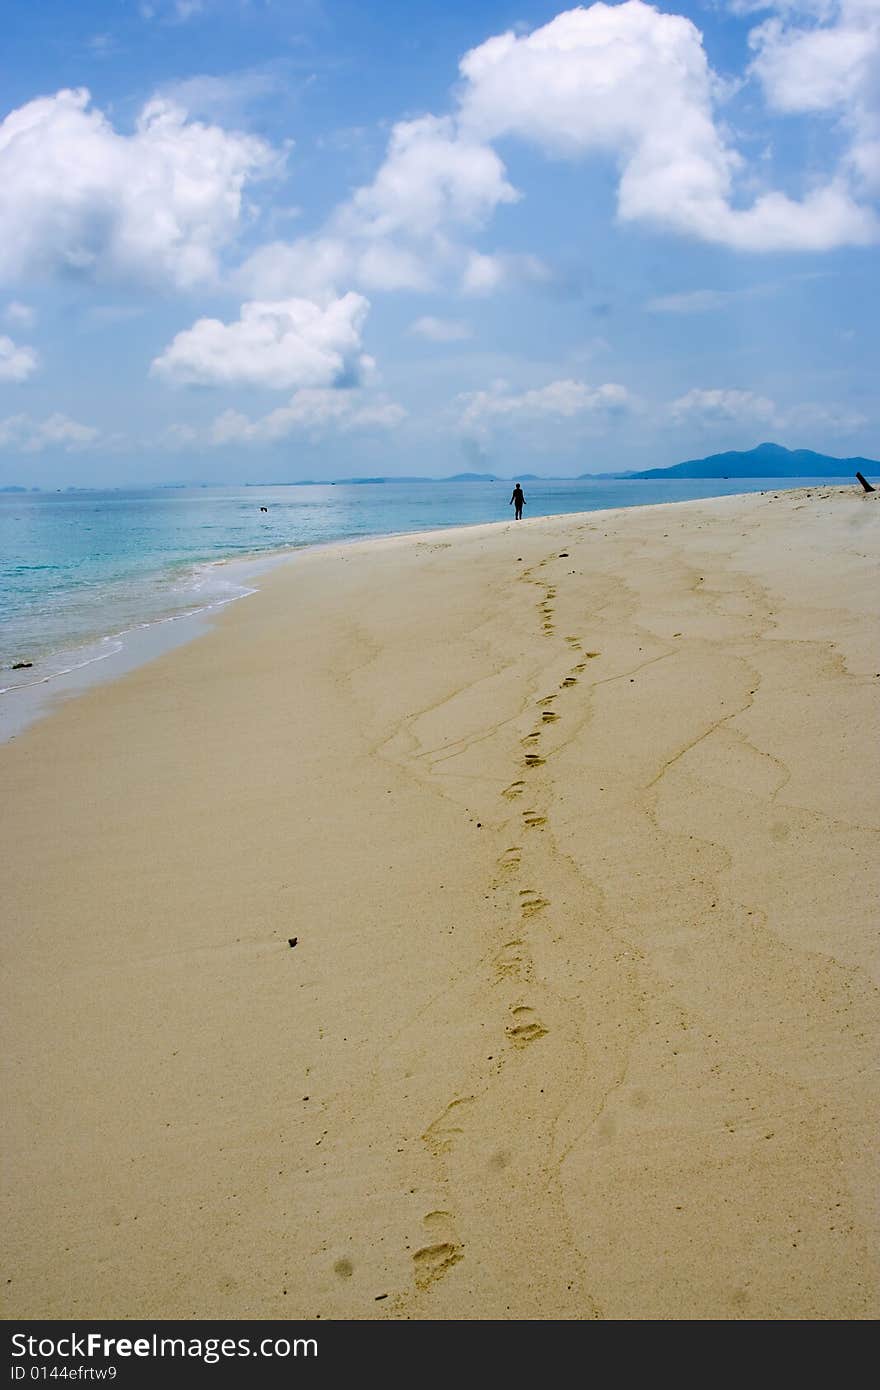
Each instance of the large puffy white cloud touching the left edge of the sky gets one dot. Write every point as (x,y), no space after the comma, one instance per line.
(80,198)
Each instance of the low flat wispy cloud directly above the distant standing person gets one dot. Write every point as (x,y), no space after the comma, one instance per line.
(560,401)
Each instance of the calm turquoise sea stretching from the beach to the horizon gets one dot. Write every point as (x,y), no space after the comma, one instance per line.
(97,583)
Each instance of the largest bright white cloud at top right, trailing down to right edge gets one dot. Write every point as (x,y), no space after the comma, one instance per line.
(635,85)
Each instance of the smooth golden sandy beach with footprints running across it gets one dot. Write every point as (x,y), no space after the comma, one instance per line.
(575,825)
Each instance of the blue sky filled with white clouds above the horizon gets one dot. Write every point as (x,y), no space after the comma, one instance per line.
(280,240)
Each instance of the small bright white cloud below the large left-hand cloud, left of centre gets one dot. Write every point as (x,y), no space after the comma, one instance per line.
(283,344)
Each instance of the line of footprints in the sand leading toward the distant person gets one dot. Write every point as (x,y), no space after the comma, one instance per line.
(512,965)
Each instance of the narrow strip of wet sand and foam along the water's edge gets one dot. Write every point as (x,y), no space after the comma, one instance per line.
(112,655)
